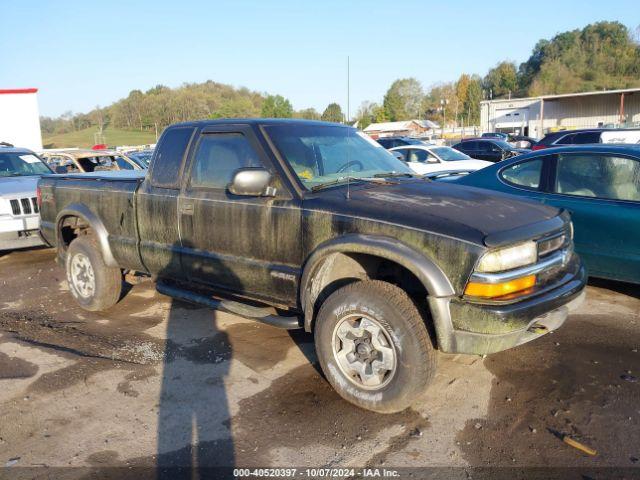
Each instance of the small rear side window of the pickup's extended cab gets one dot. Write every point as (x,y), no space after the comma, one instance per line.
(169,155)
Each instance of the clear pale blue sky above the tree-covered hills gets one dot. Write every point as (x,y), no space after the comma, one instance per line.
(84,53)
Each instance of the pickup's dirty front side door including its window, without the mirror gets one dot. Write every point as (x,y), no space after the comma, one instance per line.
(246,245)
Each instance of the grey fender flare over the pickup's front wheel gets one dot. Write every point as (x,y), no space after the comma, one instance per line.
(430,275)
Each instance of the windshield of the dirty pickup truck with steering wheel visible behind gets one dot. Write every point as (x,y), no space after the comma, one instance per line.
(331,155)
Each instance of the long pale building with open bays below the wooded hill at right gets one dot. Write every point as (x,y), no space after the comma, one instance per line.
(536,116)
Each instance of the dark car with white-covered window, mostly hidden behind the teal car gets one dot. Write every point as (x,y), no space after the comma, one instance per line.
(589,136)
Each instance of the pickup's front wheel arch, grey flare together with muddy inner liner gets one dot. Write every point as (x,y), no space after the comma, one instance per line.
(340,259)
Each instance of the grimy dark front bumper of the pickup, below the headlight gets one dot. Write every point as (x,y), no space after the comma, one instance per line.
(465,327)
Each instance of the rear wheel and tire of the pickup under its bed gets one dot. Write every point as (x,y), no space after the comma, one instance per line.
(94,285)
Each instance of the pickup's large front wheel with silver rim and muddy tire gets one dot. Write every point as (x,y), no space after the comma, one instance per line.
(392,318)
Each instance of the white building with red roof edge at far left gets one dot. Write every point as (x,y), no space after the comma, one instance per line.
(20,118)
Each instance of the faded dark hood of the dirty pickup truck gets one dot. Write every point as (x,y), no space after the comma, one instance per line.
(467,213)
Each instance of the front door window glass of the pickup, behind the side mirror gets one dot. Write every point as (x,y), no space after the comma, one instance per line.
(218,156)
